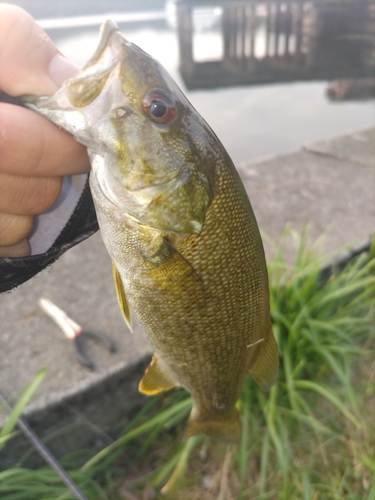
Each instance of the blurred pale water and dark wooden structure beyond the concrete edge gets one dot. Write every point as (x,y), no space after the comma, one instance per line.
(267,76)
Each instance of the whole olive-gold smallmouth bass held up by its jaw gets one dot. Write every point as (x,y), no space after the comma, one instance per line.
(188,260)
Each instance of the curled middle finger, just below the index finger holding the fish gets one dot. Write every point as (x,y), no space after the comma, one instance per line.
(23,195)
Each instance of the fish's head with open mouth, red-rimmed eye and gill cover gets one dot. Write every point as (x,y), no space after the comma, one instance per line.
(153,157)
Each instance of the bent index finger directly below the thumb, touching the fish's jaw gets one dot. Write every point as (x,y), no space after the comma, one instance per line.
(31,145)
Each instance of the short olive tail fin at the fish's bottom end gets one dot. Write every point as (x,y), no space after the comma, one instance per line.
(228,431)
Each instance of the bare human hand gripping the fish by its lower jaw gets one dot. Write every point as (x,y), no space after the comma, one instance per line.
(34,153)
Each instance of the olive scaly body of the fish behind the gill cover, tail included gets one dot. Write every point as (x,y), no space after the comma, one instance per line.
(202,300)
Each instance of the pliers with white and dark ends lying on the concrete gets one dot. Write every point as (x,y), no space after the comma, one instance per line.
(74,332)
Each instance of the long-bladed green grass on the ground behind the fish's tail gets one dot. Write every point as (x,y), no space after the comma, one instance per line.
(312,437)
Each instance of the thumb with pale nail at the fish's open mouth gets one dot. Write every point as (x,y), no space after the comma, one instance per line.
(30,62)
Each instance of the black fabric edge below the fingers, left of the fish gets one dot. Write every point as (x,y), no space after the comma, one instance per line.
(81,225)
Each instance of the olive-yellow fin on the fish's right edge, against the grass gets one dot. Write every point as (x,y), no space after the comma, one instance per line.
(265,367)
